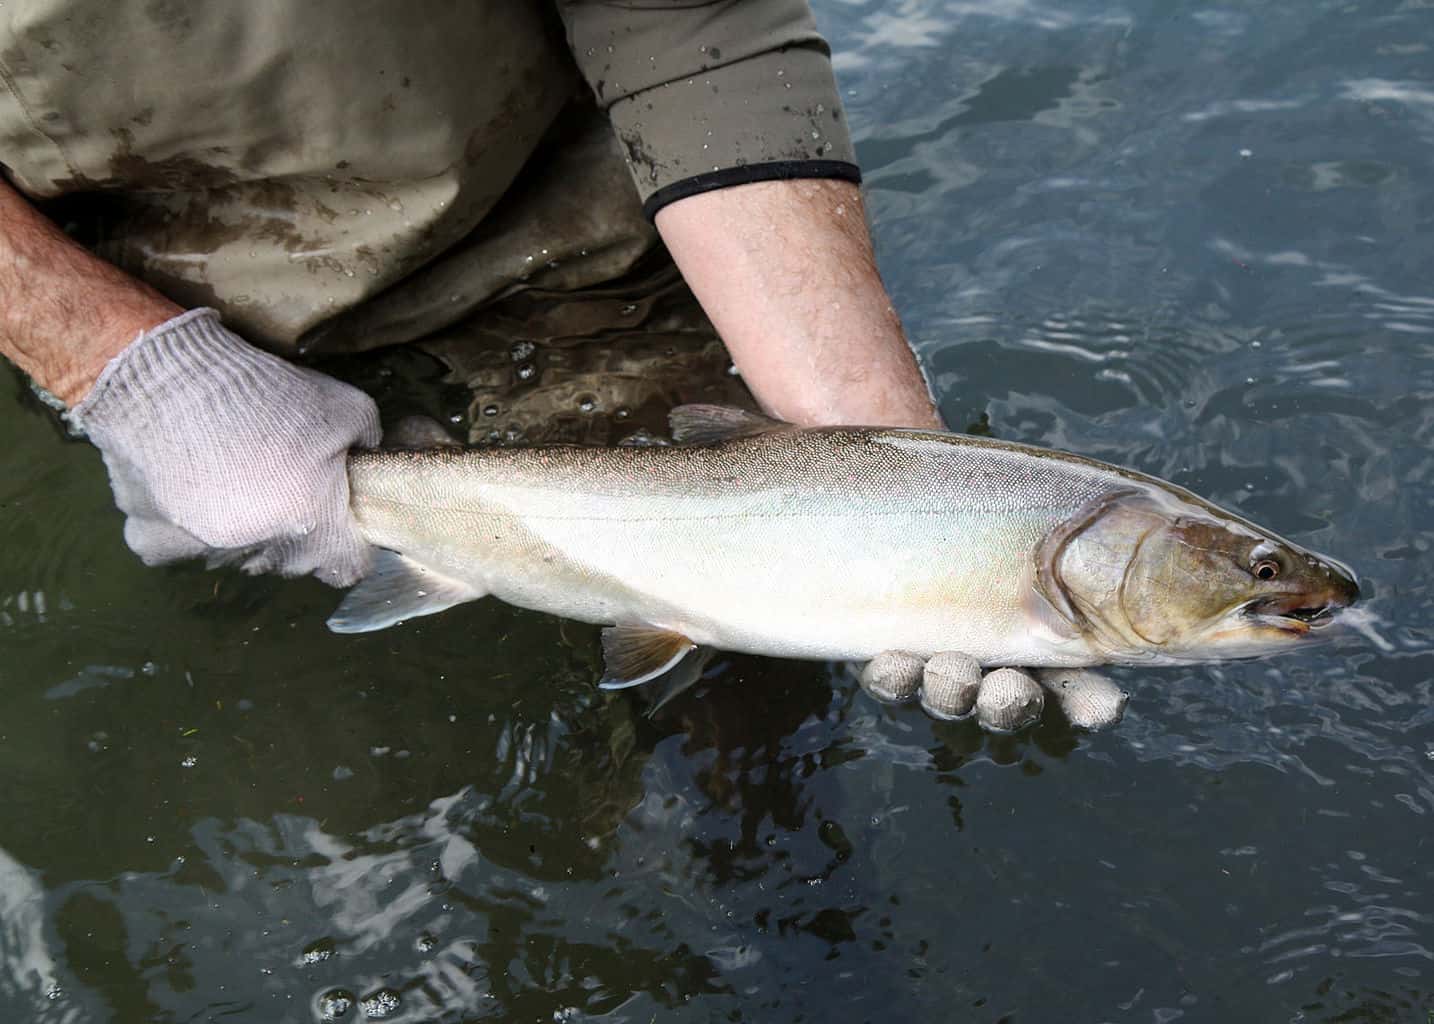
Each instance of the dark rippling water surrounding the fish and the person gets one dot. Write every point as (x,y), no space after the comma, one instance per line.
(1184,237)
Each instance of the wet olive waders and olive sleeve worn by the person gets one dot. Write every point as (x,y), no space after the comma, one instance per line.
(343,176)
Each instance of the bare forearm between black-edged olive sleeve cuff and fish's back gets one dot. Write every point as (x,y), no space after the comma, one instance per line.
(787,273)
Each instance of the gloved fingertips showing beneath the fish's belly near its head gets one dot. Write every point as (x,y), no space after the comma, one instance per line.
(1005,701)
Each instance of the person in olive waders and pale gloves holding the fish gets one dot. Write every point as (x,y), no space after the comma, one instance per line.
(283,180)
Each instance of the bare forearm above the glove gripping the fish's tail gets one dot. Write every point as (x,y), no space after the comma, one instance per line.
(64,312)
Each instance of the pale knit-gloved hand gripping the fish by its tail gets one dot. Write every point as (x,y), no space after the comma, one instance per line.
(217,450)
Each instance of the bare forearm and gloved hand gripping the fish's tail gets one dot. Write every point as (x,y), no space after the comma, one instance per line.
(214,448)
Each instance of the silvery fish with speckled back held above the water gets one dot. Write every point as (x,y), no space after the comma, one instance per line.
(754,536)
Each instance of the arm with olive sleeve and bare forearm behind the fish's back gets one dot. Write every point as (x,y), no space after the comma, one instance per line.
(741,153)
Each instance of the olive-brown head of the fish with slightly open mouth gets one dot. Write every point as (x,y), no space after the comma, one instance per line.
(1164,576)
